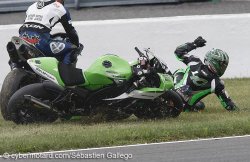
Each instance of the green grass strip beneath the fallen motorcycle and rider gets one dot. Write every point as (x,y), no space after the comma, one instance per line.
(214,121)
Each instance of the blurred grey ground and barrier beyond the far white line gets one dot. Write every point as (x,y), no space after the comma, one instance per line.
(13,11)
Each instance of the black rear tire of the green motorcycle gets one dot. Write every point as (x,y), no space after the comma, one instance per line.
(22,111)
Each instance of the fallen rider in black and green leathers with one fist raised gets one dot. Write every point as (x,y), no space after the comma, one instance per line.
(200,79)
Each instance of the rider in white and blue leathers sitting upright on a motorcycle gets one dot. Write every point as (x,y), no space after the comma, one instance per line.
(41,17)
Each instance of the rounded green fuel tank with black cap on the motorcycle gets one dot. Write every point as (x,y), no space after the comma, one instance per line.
(98,76)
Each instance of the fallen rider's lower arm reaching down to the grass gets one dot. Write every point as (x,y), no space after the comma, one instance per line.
(223,96)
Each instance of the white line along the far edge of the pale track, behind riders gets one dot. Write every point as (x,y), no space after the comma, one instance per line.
(145,20)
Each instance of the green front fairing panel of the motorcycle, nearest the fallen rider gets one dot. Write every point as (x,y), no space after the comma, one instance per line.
(166,84)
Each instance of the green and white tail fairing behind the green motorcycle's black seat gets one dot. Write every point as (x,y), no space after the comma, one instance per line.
(48,65)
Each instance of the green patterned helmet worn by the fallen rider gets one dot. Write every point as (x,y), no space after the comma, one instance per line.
(217,61)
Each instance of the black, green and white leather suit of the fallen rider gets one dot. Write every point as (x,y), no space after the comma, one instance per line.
(197,81)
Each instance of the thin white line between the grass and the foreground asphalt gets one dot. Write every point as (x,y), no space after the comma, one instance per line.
(139,145)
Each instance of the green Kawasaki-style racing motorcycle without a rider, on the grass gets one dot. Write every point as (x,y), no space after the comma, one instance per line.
(110,86)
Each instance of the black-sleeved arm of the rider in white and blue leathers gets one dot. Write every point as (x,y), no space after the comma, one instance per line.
(70,30)
